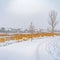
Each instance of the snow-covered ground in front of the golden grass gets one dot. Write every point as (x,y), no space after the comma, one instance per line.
(45,48)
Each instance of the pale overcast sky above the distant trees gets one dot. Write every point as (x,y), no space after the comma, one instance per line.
(19,13)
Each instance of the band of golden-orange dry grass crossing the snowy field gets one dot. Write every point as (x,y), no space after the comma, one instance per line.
(20,37)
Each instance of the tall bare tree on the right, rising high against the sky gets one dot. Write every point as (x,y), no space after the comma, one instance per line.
(53,22)
